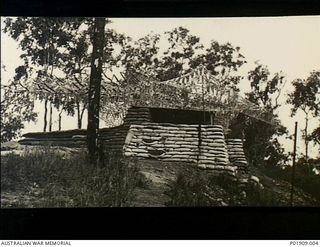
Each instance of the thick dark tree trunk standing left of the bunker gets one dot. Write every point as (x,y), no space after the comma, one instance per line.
(94,89)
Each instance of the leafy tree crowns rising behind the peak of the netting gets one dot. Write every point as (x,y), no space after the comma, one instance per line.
(184,52)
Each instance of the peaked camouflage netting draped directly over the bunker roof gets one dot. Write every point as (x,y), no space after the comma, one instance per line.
(197,90)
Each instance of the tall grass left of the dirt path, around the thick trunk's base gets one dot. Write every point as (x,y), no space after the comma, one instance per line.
(57,180)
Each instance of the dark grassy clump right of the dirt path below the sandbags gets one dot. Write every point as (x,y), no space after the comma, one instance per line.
(199,188)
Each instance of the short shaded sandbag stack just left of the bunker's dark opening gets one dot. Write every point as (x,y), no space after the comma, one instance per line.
(137,115)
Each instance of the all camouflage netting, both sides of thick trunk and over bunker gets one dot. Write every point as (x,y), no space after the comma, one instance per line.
(197,90)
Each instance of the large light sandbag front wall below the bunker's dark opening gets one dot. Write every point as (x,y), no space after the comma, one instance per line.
(204,145)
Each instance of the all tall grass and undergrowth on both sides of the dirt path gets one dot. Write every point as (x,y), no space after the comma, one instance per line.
(46,177)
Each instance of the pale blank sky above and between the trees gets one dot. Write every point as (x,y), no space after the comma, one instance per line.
(287,44)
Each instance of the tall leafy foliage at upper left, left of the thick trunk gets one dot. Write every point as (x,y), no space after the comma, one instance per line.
(44,41)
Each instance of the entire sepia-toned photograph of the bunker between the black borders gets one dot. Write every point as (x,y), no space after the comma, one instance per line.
(160,112)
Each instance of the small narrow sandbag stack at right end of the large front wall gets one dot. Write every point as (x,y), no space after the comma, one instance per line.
(236,154)
